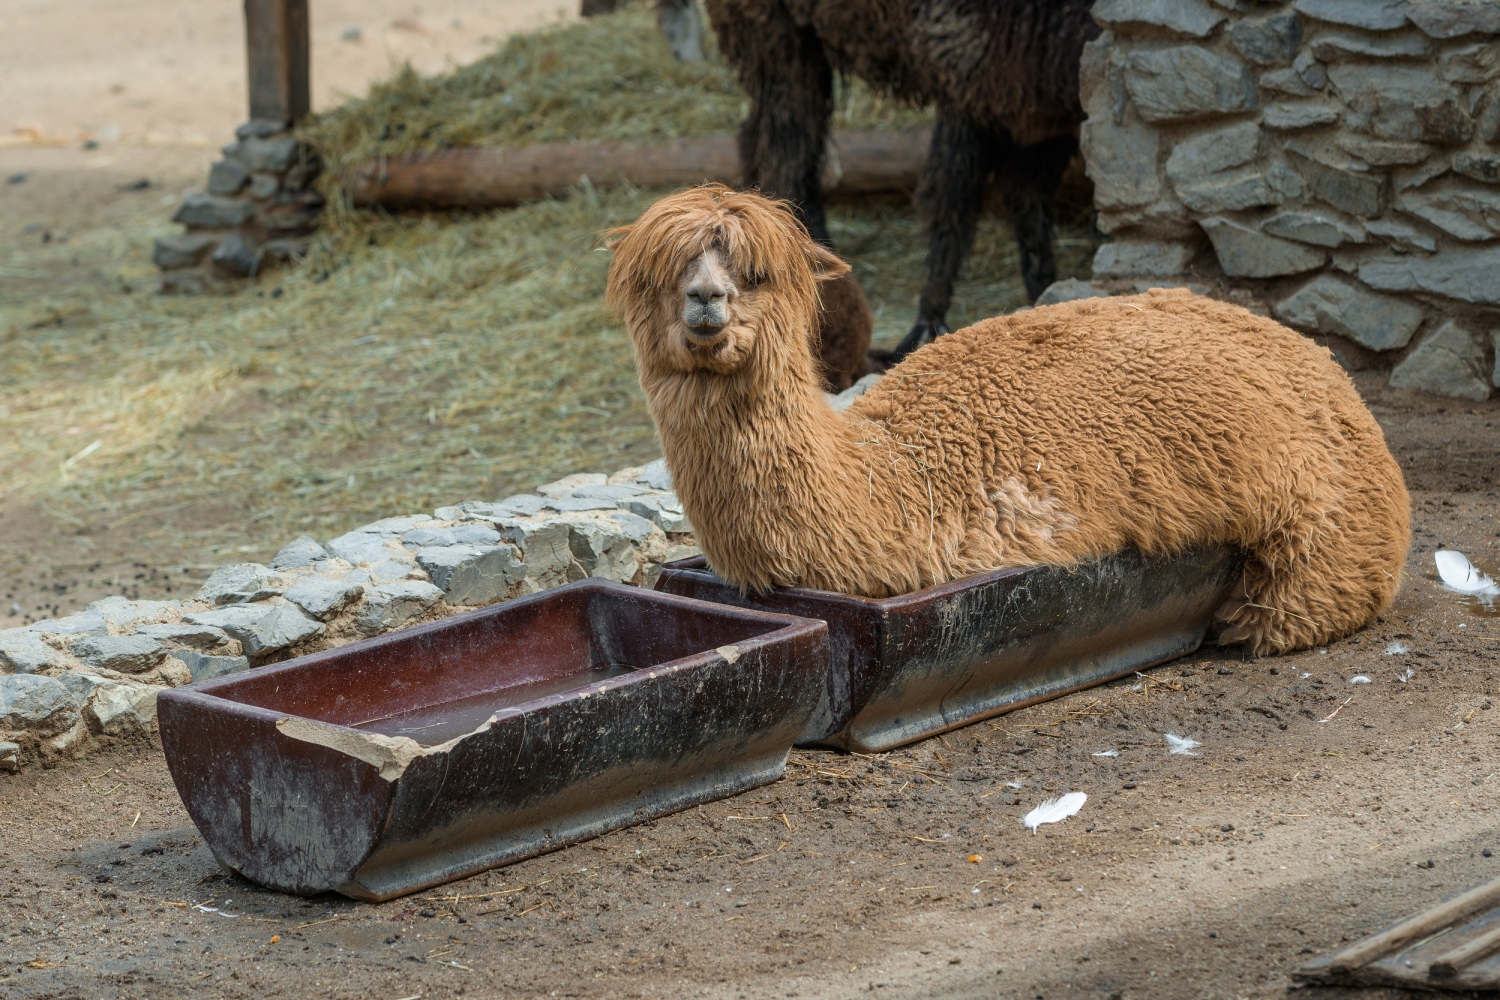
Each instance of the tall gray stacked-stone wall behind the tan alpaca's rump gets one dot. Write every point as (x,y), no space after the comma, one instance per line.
(1336,160)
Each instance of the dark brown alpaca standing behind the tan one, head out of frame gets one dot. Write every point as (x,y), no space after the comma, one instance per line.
(1003,74)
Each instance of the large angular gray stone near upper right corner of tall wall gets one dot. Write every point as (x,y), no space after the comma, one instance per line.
(1402,103)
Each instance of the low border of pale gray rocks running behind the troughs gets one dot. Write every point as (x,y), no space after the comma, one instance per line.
(64,681)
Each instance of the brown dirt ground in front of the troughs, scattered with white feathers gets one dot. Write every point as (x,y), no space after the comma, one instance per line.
(1313,813)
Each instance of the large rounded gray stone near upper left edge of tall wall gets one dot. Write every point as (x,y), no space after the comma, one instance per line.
(1186,83)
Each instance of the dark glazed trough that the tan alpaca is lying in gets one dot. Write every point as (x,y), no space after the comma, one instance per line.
(923,663)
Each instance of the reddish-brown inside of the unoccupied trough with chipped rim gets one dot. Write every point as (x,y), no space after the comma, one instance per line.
(439,683)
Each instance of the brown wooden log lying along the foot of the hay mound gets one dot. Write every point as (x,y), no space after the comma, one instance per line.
(859,164)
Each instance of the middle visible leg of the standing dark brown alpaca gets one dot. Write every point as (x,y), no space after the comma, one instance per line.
(950,197)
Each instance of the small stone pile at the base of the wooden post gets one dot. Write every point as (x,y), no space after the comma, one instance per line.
(259,208)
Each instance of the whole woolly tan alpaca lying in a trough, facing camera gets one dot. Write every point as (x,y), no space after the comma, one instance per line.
(1157,422)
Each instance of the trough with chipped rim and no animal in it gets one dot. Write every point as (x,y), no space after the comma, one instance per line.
(428,755)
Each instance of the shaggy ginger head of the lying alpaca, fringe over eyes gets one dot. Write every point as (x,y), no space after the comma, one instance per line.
(715,283)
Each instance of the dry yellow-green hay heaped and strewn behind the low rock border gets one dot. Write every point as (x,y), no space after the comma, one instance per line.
(413,362)
